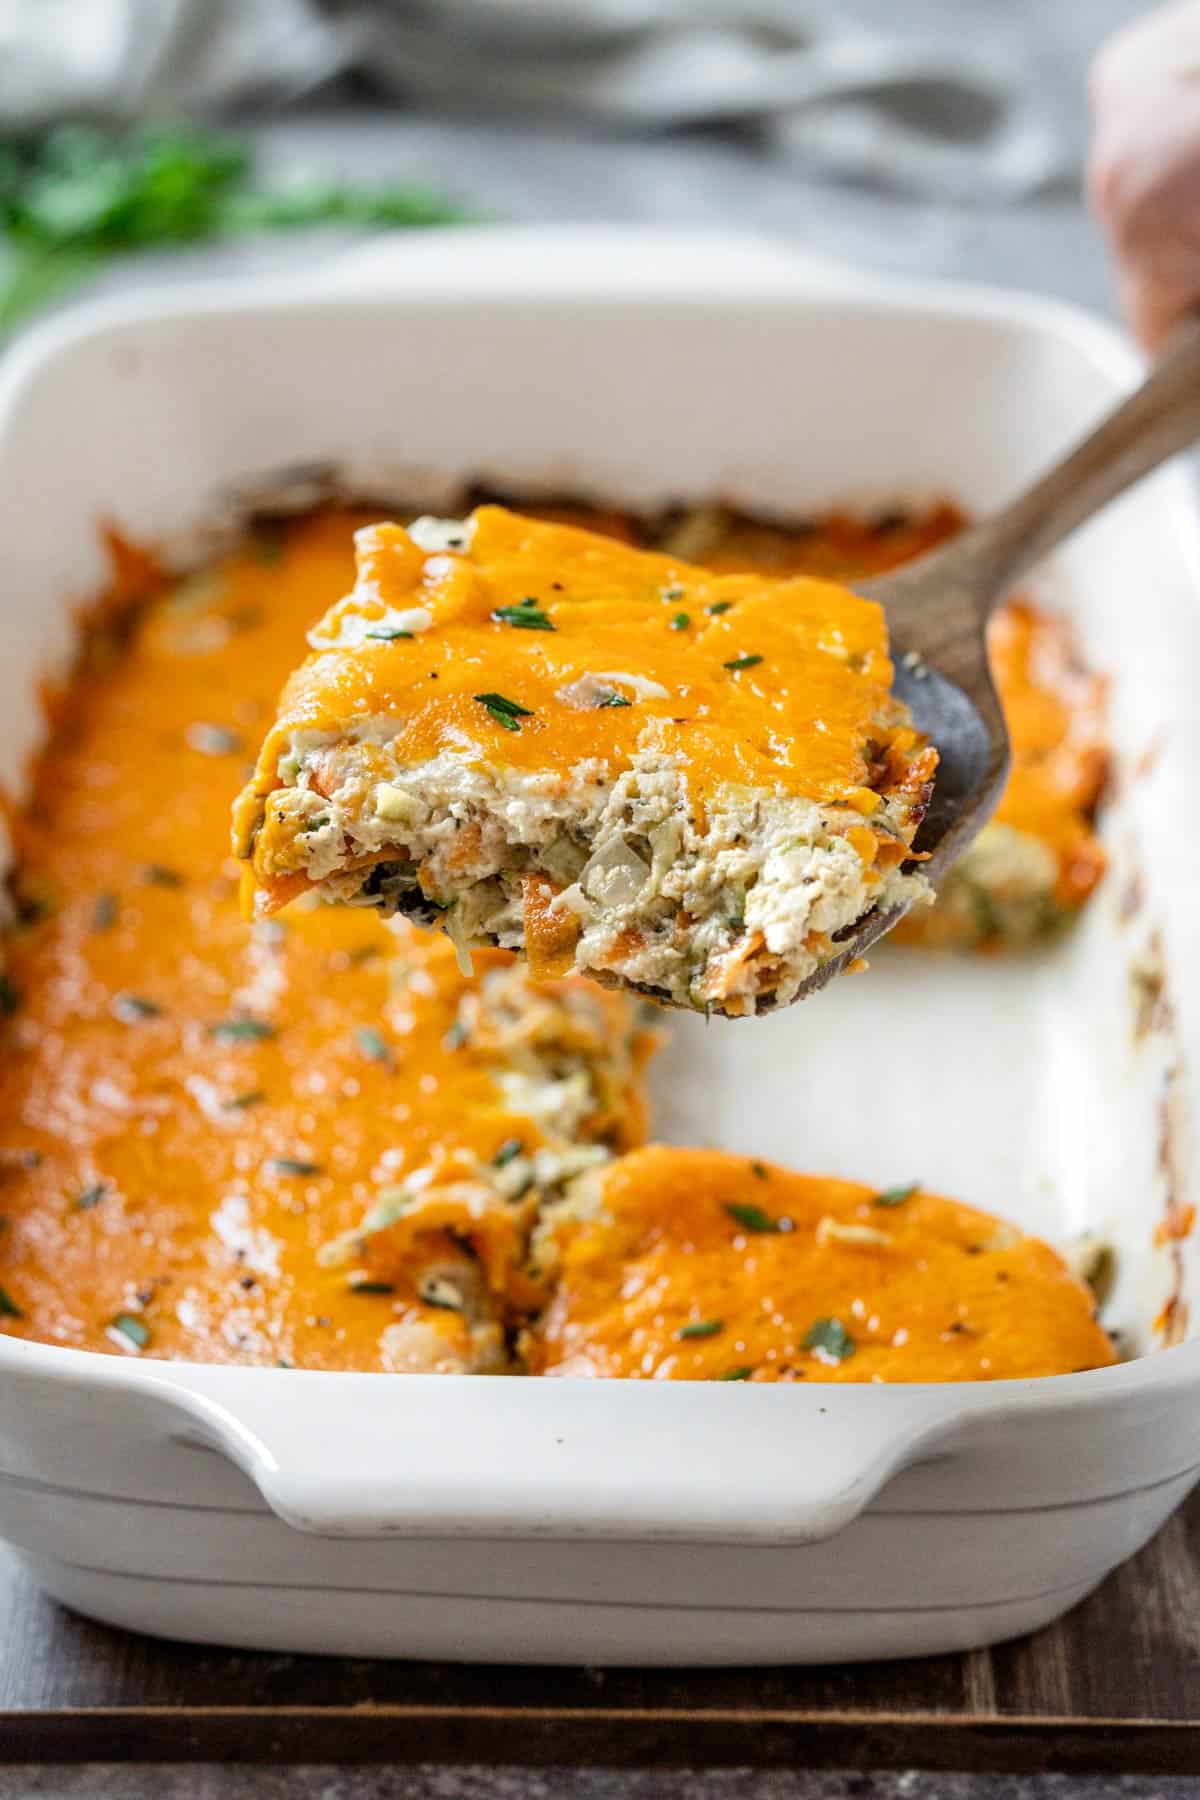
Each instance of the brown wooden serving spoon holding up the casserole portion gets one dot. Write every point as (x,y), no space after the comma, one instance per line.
(940,606)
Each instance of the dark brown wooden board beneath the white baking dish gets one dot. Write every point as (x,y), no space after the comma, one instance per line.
(1115,1687)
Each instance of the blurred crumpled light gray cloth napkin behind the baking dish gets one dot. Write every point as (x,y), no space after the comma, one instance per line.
(836,96)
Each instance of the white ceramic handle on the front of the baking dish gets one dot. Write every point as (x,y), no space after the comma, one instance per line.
(442,1455)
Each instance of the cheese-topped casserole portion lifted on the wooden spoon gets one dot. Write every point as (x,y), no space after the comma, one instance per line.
(632,769)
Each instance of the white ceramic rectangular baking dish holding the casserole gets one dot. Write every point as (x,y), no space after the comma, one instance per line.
(627,1522)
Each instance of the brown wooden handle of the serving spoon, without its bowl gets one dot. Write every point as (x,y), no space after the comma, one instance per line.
(978,568)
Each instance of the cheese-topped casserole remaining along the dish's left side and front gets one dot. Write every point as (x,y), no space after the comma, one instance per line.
(316,1142)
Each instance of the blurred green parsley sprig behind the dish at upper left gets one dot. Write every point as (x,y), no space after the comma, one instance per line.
(80,197)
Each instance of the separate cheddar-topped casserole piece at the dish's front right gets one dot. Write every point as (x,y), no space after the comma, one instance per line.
(704,1266)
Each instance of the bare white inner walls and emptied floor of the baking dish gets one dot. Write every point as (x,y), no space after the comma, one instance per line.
(1021,1084)
